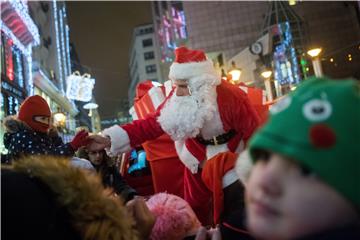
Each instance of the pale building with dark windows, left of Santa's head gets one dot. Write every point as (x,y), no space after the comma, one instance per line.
(143,64)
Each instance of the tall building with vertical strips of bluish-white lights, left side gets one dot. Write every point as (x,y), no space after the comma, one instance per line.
(52,61)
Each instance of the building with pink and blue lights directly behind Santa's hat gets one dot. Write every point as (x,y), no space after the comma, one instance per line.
(170,31)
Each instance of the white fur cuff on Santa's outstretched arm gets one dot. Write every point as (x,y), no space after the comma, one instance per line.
(120,141)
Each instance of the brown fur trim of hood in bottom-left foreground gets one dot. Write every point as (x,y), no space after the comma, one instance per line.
(93,213)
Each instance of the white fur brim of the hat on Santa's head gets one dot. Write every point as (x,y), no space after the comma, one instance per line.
(193,70)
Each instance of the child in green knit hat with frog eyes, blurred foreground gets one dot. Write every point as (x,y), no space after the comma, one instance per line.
(305,183)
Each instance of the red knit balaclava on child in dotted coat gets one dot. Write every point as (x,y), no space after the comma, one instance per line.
(34,106)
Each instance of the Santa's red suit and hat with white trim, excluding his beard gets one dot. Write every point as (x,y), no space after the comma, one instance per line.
(232,123)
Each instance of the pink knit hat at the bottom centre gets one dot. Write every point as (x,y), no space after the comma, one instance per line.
(175,219)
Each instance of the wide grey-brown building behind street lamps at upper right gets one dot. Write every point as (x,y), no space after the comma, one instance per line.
(228,30)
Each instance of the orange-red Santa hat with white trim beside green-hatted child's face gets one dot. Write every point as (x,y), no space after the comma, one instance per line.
(217,174)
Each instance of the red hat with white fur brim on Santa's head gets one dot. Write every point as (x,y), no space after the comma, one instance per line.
(192,65)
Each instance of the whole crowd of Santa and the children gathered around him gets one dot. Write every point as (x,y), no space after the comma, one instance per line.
(295,177)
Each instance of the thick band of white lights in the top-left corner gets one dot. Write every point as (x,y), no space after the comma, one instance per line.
(22,11)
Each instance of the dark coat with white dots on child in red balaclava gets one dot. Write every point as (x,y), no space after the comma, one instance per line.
(20,140)
